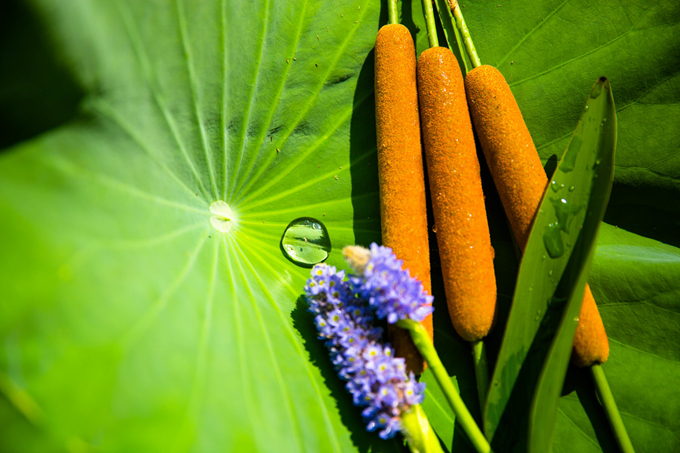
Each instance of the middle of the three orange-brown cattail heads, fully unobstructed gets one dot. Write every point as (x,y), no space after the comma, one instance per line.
(456,192)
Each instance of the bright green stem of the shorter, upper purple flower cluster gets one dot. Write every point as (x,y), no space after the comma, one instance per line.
(422,341)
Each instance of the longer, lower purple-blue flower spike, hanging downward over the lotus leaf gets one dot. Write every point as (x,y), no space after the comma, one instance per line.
(376,378)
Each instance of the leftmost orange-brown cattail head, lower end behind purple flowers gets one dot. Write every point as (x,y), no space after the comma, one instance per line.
(403,212)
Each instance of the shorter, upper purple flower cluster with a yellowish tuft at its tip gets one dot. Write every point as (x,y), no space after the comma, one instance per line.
(387,287)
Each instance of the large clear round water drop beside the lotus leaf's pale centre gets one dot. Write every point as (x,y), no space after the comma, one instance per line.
(306,241)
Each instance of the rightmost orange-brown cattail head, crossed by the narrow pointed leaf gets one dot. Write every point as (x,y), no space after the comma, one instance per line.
(520,180)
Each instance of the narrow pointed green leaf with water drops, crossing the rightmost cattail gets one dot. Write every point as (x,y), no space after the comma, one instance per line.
(577,193)
